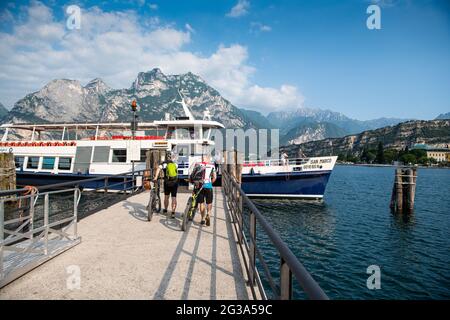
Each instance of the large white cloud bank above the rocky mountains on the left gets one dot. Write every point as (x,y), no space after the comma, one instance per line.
(115,46)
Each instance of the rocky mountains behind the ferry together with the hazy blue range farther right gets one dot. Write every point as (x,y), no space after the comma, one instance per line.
(64,100)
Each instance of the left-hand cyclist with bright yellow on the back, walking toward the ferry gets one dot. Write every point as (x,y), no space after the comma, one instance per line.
(170,170)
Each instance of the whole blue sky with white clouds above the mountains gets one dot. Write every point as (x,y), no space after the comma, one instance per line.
(259,54)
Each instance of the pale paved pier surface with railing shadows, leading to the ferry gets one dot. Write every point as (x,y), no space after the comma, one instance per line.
(123,256)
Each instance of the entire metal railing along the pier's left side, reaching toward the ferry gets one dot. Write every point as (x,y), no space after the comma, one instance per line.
(27,228)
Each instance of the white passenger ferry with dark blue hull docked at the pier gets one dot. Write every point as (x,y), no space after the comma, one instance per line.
(56,153)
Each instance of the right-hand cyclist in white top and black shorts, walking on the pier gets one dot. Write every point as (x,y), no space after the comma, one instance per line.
(209,176)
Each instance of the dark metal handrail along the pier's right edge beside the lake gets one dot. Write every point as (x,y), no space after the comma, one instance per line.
(289,266)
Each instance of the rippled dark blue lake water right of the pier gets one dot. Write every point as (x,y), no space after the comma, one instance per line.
(354,228)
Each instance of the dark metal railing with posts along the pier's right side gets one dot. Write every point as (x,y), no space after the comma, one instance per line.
(289,265)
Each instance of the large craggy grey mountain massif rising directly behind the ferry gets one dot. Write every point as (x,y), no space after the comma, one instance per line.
(156,94)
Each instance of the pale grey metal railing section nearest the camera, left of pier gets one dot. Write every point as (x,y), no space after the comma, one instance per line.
(29,242)
